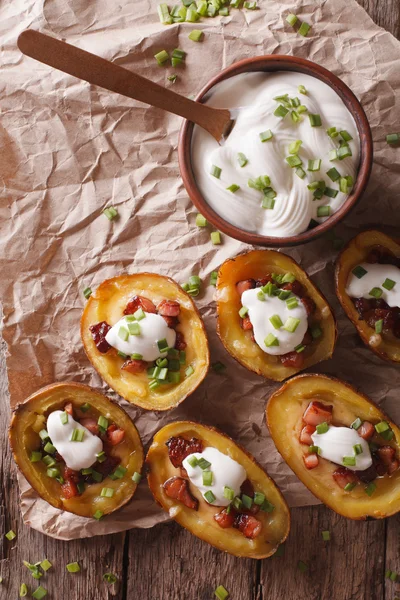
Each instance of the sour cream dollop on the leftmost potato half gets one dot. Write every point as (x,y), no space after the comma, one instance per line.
(77,455)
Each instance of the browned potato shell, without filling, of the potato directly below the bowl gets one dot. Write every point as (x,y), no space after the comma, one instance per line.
(256,264)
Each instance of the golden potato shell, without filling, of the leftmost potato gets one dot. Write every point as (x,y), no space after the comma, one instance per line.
(23,439)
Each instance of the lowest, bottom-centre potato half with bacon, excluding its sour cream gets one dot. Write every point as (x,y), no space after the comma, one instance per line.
(197,515)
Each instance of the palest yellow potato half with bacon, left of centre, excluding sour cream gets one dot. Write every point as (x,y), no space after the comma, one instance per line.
(123,295)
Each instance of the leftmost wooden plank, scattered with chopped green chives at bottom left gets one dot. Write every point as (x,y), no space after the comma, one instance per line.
(96,555)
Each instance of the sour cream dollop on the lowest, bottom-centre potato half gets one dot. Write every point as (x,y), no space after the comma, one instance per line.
(225,470)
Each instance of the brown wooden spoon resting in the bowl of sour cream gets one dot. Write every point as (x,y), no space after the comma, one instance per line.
(106,74)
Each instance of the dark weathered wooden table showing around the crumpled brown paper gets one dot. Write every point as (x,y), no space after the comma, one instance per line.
(167,563)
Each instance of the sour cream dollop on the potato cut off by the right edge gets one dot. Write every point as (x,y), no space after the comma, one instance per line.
(375,276)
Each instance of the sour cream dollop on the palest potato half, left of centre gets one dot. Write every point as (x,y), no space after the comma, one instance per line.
(153,328)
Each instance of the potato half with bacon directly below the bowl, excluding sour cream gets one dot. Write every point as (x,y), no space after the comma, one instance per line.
(257,266)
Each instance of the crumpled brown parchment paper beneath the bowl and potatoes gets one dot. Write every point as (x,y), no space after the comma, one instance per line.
(69,150)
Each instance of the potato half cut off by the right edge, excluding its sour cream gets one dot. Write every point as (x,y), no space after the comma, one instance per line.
(375,247)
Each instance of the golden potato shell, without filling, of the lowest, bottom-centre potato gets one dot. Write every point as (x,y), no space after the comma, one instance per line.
(201,523)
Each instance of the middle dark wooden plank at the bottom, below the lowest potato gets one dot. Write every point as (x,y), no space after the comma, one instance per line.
(168,563)
